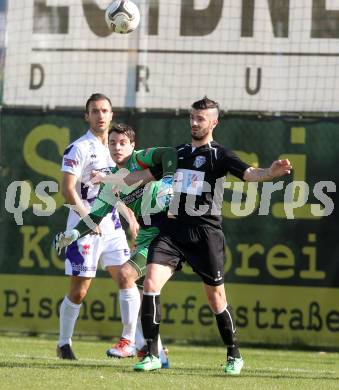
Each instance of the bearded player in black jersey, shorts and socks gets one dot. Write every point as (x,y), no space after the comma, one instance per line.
(194,233)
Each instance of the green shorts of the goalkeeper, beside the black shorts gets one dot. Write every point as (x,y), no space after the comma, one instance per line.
(138,258)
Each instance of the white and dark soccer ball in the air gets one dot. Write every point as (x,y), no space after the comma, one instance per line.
(122,16)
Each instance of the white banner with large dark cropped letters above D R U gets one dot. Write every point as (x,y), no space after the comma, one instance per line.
(267,56)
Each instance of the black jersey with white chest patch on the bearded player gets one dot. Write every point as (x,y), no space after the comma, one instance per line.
(199,186)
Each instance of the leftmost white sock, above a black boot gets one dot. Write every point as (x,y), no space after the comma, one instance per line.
(69,313)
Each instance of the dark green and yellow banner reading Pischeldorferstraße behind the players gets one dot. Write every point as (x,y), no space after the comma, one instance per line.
(281,260)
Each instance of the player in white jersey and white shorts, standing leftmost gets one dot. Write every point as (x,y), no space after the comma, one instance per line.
(109,246)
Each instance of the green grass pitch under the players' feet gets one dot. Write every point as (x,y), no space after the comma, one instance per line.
(30,363)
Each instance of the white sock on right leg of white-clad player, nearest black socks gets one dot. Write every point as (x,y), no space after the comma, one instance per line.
(129,307)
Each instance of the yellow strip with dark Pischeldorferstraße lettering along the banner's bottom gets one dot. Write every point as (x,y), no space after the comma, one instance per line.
(299,316)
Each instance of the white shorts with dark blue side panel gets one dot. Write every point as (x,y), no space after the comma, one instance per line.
(84,255)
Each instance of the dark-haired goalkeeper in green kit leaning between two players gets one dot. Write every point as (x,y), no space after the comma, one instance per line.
(149,202)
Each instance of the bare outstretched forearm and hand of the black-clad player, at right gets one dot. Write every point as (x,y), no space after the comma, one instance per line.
(277,169)
